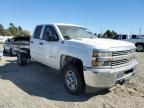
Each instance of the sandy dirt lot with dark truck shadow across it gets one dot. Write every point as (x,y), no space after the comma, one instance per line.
(38,86)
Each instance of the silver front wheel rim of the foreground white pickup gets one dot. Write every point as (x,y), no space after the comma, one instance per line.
(71,80)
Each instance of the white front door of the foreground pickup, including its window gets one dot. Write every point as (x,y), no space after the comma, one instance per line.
(51,45)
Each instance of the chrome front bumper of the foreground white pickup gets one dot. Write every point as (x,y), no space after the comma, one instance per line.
(97,79)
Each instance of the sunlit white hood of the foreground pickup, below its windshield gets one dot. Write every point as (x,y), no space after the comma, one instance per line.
(104,44)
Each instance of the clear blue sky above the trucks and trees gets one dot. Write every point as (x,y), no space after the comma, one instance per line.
(122,16)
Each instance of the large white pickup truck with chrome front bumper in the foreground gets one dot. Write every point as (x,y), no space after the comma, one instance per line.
(87,63)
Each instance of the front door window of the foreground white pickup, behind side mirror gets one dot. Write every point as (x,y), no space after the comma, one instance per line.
(50,33)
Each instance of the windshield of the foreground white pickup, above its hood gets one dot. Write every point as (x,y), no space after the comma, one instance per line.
(72,32)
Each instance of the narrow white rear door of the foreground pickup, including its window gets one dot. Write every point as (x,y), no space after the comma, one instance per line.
(35,47)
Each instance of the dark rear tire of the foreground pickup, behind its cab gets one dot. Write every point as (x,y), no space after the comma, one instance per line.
(21,59)
